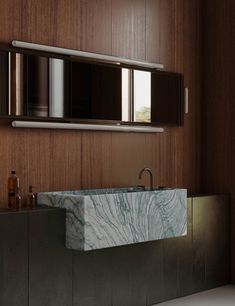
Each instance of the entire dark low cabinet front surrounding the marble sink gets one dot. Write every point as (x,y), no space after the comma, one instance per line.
(138,274)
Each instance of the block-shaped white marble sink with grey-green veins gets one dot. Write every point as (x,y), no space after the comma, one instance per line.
(105,218)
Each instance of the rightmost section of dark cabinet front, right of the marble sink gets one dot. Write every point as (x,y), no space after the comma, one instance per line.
(211,242)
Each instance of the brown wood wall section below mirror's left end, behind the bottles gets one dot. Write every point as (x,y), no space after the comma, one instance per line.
(48,160)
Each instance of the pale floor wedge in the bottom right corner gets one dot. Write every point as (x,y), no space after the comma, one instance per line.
(222,296)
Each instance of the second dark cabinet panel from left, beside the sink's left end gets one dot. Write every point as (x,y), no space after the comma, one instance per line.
(50,263)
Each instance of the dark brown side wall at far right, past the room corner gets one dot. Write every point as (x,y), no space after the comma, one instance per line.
(218,116)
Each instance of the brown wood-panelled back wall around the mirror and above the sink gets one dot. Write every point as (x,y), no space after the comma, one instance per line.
(166,31)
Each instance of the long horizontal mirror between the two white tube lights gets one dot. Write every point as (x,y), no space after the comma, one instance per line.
(39,86)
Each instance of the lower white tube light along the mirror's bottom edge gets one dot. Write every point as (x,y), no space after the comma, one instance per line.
(95,127)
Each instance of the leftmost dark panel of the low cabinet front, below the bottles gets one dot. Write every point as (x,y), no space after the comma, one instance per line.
(14,259)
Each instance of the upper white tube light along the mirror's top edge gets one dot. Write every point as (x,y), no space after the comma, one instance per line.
(91,55)
